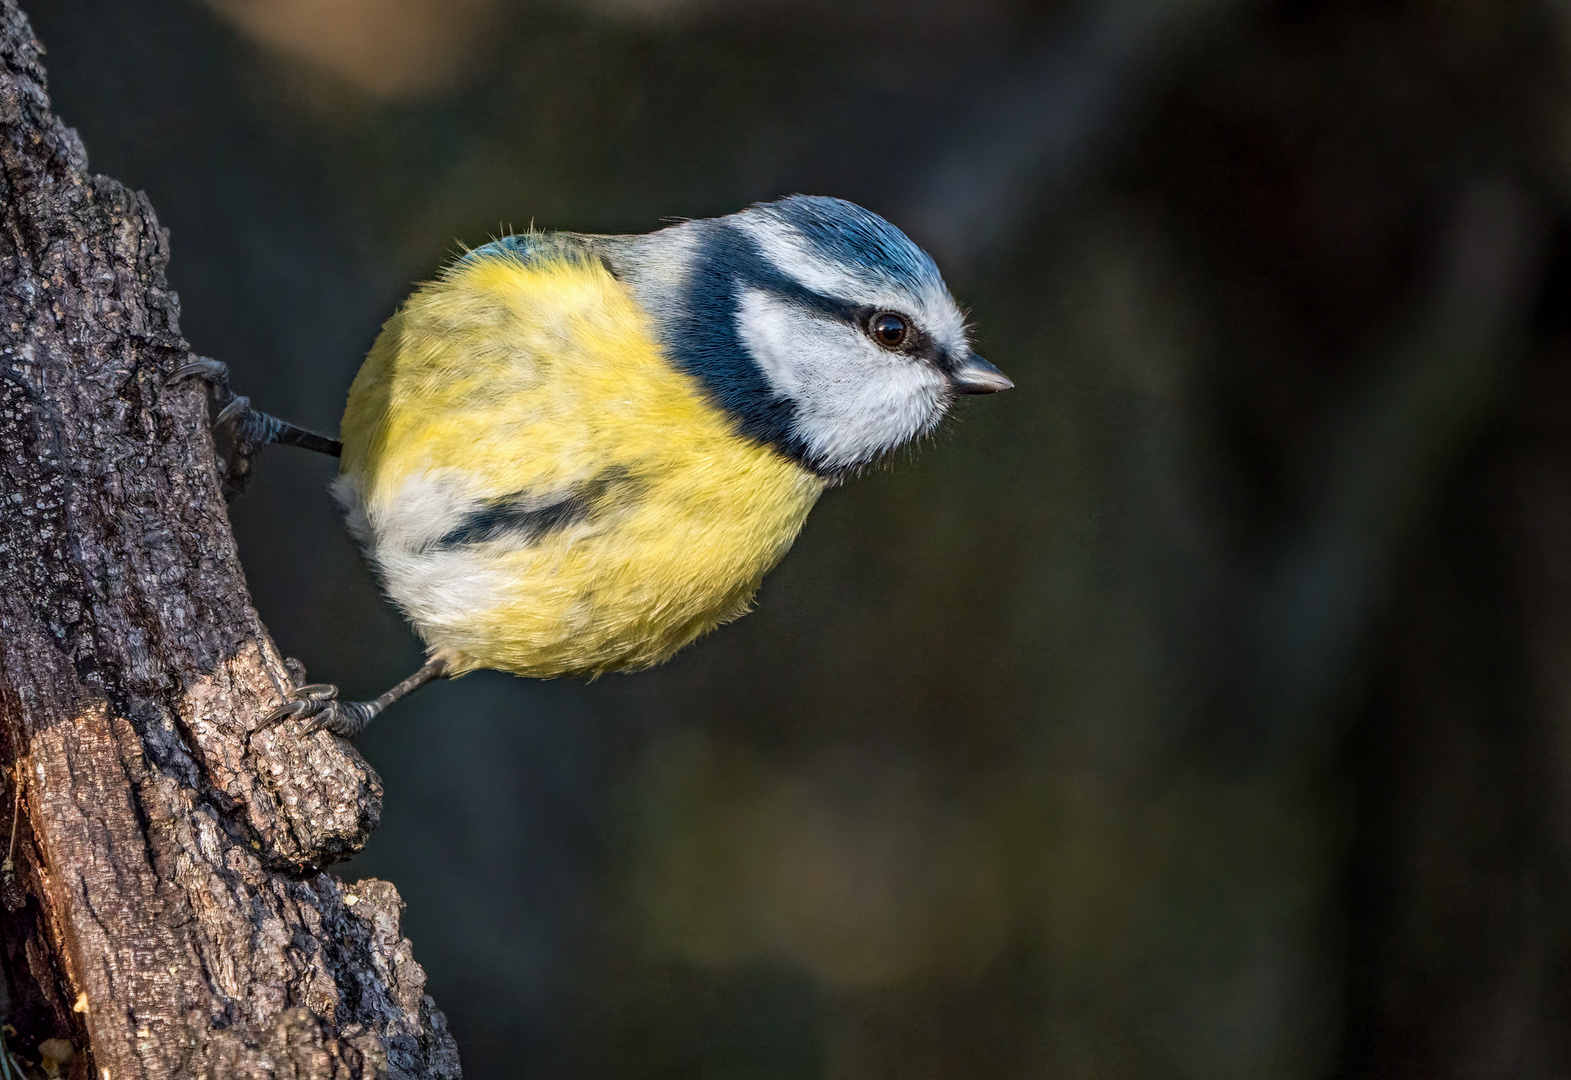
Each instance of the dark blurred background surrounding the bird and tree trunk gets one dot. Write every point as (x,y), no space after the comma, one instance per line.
(1201,708)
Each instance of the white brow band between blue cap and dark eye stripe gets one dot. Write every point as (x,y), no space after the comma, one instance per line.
(785,248)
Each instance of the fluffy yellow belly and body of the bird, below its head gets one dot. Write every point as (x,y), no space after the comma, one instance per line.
(541,491)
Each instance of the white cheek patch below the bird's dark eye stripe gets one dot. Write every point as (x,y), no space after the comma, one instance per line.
(854,400)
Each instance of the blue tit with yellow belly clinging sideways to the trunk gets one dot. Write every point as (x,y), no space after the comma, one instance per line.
(576,454)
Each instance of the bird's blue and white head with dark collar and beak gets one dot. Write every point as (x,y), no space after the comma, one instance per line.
(819,326)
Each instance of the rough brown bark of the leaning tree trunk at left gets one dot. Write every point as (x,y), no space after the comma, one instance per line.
(167,913)
